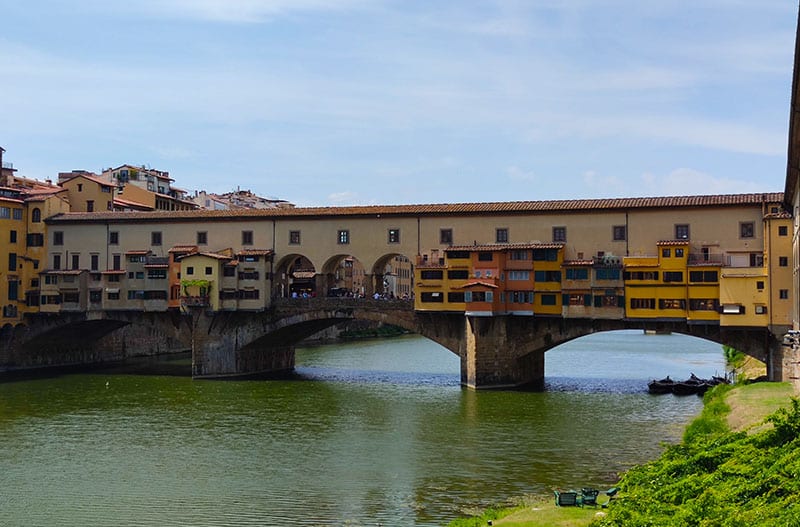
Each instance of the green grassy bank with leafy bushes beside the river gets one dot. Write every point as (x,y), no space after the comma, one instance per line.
(738,465)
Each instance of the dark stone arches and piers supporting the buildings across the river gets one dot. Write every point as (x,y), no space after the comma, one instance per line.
(495,352)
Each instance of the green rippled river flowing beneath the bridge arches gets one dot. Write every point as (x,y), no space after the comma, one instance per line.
(367,433)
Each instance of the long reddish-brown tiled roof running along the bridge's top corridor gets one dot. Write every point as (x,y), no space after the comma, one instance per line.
(511,207)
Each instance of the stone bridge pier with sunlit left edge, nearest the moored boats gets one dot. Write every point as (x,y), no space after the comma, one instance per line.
(494,359)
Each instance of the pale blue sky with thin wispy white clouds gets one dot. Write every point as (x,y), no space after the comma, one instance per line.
(362,102)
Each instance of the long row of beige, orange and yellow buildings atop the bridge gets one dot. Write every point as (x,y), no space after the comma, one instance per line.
(703,259)
